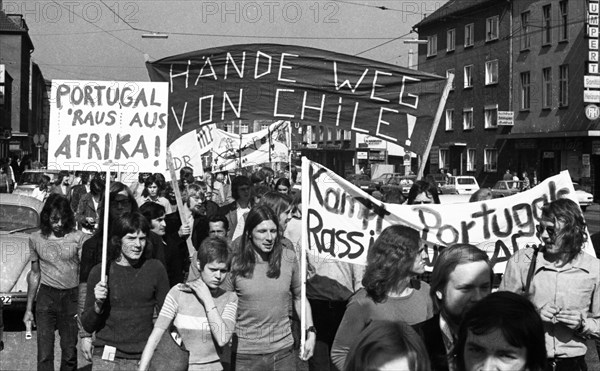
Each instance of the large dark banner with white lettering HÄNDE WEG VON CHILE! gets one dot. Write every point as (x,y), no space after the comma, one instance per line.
(300,84)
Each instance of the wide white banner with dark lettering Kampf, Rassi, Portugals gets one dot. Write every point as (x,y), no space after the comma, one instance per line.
(341,221)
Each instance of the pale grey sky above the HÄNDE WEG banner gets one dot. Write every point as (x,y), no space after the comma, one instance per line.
(102,39)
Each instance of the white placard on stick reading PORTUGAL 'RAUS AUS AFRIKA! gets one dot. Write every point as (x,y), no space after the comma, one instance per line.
(101,125)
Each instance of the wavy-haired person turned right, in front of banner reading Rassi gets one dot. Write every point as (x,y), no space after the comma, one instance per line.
(390,292)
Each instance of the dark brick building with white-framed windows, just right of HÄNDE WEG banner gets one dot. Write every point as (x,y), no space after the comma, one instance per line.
(470,40)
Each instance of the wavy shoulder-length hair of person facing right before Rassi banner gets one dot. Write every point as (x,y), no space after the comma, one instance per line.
(389,261)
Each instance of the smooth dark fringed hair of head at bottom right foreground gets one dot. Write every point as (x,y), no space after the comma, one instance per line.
(516,318)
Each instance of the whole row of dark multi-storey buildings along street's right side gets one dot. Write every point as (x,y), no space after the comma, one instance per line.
(548,121)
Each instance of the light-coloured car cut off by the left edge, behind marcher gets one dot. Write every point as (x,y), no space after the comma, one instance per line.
(19,217)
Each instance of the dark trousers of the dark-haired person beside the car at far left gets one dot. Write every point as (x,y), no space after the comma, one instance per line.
(56,309)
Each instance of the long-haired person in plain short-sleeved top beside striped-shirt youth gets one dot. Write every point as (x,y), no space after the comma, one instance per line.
(264,274)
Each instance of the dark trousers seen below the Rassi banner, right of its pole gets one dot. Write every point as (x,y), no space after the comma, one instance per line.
(327,316)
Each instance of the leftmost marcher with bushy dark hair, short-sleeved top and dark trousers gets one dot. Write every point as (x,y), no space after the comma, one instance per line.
(52,282)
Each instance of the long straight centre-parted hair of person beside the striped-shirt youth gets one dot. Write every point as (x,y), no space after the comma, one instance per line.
(244,258)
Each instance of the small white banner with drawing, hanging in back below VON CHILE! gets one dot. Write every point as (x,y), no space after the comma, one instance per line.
(232,151)
